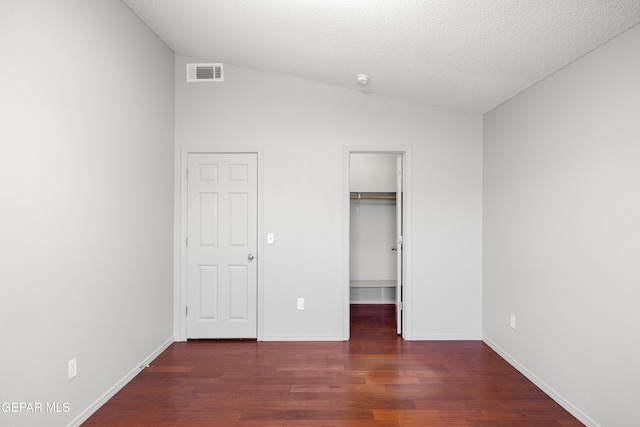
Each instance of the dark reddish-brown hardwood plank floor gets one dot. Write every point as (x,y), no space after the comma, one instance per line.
(375,379)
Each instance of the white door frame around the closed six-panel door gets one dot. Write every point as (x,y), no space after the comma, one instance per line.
(180,237)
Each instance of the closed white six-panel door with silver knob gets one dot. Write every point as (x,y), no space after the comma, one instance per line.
(221,245)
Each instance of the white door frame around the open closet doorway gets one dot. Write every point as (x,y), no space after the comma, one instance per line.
(406,297)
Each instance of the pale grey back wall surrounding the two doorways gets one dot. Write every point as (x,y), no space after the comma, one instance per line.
(304,130)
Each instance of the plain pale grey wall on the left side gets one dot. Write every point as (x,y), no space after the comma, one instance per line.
(86,175)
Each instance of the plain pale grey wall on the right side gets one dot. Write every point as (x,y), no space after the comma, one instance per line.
(562,232)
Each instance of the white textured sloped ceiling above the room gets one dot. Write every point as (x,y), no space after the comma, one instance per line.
(465,55)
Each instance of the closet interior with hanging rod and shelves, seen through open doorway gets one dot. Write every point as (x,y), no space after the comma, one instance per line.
(376,230)
